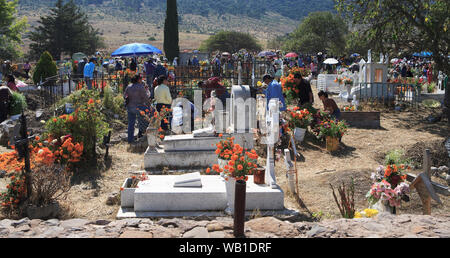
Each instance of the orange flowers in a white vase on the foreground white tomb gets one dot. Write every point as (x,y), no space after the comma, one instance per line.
(242,164)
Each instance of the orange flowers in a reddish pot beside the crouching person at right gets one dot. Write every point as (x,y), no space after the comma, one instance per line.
(333,130)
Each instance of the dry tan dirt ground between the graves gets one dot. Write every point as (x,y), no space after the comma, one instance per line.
(360,153)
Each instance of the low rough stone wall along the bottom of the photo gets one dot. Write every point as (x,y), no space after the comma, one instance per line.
(382,226)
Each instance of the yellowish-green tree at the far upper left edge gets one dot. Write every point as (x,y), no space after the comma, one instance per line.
(10,30)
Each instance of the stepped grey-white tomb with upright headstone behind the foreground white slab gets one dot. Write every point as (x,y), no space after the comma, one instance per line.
(197,150)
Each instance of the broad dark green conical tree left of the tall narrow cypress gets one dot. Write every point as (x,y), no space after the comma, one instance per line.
(65,30)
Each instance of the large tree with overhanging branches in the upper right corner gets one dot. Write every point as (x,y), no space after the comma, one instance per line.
(404,26)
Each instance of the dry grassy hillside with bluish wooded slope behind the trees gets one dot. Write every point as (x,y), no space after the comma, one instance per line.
(124,21)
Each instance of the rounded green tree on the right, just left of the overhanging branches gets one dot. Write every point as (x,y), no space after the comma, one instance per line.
(319,31)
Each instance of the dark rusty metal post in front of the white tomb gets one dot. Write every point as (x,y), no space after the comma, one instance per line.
(239,208)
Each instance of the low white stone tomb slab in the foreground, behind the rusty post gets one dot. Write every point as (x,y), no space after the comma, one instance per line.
(159,196)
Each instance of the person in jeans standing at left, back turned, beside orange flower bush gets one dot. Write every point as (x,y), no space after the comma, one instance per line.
(136,98)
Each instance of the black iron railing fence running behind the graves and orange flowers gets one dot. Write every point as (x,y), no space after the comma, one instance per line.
(183,79)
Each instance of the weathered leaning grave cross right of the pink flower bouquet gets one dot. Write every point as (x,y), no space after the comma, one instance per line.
(424,185)
